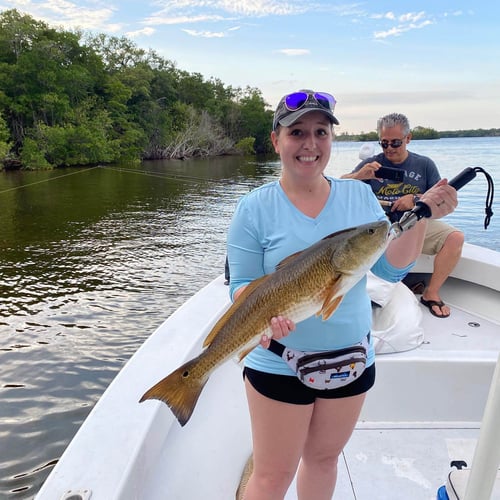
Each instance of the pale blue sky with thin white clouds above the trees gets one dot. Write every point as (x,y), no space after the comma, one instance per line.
(438,62)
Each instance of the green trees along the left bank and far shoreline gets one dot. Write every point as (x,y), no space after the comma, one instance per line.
(69,98)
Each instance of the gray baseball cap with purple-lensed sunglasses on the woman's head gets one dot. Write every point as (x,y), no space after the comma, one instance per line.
(293,106)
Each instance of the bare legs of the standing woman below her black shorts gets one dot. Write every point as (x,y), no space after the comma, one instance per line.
(284,432)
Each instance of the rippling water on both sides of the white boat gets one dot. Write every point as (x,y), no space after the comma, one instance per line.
(93,260)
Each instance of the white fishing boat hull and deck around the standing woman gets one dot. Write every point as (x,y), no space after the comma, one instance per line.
(424,411)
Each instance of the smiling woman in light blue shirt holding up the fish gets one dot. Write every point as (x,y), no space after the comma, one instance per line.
(295,426)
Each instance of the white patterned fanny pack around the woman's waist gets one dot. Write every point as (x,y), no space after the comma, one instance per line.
(325,369)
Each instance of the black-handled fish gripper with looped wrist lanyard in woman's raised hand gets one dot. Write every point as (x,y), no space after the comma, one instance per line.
(422,210)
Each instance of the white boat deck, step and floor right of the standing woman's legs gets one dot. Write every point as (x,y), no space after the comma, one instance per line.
(410,458)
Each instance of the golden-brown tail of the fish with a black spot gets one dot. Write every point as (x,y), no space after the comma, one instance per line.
(180,391)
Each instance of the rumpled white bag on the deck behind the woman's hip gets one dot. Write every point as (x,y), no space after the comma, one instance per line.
(396,325)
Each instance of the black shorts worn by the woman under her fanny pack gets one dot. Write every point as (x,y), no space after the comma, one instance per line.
(289,389)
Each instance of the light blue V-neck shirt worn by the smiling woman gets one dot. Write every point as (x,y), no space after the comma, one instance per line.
(267,227)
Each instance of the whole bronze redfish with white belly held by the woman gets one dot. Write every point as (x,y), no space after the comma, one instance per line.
(312,281)
